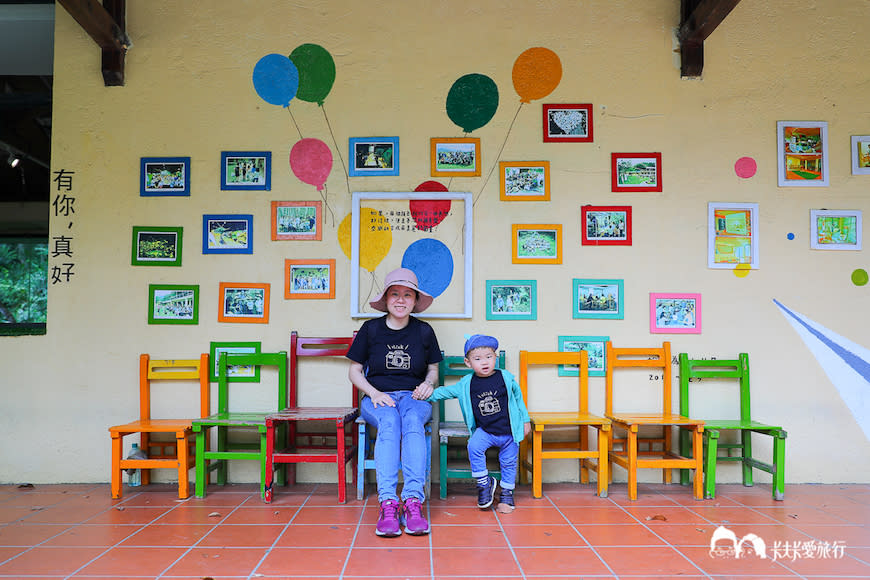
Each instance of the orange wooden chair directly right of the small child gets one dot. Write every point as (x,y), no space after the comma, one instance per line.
(577,422)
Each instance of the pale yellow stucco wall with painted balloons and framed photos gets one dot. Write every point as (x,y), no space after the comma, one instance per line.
(188,92)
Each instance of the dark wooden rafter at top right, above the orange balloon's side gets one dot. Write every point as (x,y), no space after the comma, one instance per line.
(698,20)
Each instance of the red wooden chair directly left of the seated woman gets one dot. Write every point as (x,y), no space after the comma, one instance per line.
(318,446)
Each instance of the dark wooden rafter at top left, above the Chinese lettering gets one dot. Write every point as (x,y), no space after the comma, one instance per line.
(106,24)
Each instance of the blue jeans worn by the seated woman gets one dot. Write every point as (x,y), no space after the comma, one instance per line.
(401,439)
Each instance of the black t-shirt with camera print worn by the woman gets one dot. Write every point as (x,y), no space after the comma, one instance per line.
(395,360)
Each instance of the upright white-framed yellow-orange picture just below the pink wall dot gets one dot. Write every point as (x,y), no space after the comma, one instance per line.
(732,230)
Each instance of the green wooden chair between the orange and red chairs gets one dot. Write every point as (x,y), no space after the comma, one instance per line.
(237,419)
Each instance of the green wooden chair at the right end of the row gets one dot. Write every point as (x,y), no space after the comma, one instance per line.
(702,373)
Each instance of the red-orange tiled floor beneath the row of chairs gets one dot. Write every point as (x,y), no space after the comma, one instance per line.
(78,531)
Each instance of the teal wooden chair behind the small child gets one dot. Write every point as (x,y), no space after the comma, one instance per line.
(454,366)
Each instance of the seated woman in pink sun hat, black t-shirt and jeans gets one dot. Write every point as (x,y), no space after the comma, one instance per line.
(394,361)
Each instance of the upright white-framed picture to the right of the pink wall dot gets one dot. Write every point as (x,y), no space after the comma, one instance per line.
(802,153)
